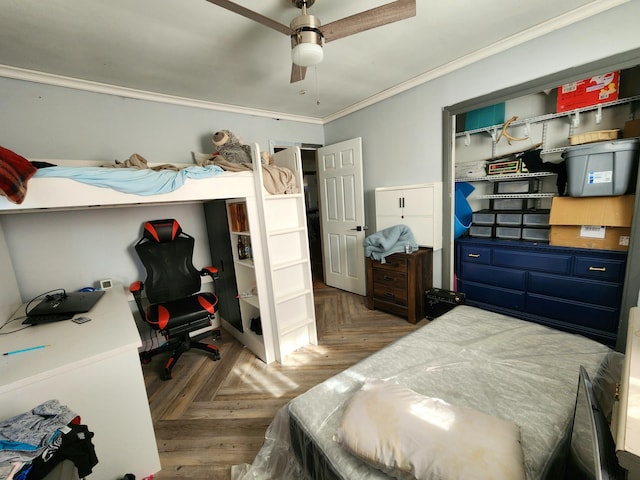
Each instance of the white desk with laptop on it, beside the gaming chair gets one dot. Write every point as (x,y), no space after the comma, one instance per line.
(94,369)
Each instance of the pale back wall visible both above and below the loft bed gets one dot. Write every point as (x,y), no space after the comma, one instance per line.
(77,248)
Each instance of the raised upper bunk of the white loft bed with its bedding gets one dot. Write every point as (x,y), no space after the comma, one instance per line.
(67,186)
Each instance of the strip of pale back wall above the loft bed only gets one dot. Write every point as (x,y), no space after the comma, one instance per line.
(61,123)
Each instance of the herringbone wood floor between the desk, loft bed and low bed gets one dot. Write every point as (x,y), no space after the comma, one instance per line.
(213,415)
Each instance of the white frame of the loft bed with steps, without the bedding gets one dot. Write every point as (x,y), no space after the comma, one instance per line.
(278,238)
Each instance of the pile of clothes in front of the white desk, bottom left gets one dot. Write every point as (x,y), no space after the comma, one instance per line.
(34,442)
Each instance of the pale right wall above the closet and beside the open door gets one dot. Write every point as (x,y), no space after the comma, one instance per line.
(402,136)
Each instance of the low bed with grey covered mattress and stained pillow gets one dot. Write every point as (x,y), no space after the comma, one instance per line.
(473,394)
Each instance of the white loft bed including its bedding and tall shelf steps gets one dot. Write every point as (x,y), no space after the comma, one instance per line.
(274,203)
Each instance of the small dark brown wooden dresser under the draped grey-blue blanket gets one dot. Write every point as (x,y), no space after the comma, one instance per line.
(398,285)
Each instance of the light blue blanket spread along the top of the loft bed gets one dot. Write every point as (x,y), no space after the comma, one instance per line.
(130,180)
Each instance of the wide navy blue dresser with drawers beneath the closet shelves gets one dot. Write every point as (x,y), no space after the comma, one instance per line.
(571,289)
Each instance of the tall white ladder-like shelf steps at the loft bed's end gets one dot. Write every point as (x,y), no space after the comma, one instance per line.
(287,261)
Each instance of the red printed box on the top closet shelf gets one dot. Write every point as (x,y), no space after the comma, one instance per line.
(588,92)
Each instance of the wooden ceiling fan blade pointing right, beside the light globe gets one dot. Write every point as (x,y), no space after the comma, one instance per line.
(376,17)
